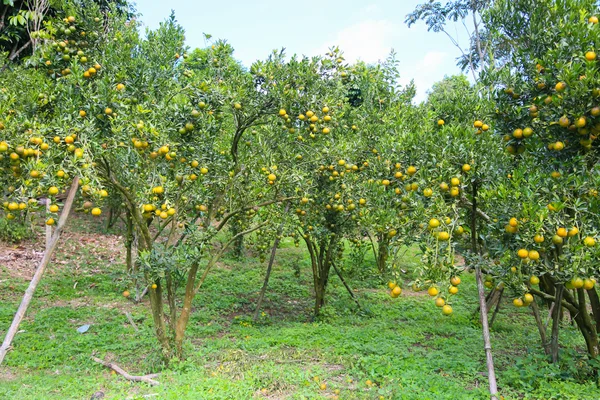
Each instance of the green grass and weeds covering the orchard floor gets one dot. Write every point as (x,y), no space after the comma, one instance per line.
(404,346)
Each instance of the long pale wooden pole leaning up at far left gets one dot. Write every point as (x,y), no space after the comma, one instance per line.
(39,272)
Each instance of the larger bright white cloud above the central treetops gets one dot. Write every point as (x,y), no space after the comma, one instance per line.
(370,40)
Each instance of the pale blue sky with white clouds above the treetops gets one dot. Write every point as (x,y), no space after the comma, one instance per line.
(365,30)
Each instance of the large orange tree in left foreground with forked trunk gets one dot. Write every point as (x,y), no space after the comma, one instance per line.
(134,121)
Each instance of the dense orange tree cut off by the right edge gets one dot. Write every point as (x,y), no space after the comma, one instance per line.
(547,102)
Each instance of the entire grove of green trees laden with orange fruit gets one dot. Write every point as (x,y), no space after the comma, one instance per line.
(200,156)
